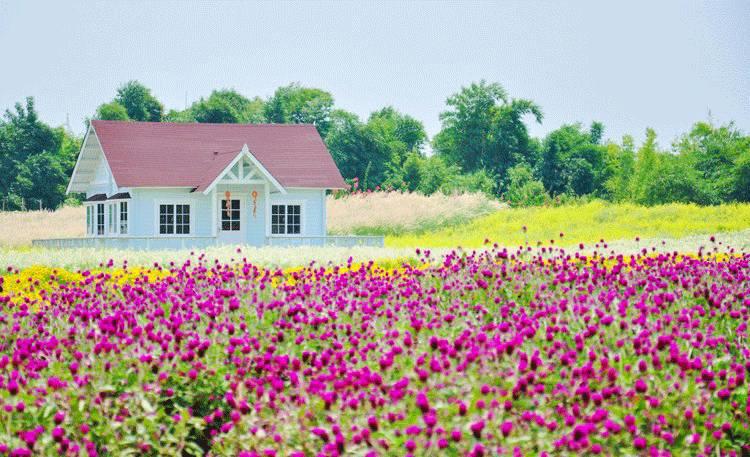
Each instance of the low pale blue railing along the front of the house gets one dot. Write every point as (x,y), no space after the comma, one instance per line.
(202,242)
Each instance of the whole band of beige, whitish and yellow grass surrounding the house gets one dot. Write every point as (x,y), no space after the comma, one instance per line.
(414,221)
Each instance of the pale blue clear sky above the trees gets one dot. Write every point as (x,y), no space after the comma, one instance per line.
(631,65)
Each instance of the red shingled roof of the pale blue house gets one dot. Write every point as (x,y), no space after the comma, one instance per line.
(163,154)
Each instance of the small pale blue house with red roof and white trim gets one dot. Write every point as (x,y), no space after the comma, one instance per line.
(169,185)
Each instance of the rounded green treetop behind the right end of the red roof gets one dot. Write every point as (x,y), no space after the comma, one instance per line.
(294,104)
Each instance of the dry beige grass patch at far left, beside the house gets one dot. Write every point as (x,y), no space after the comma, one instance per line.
(18,228)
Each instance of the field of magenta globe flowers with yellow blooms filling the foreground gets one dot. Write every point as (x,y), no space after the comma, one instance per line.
(538,351)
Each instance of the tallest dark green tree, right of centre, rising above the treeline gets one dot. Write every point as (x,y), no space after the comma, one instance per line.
(483,129)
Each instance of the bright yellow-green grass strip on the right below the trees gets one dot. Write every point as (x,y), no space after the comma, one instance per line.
(585,223)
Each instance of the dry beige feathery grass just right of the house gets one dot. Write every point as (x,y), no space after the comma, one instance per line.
(395,213)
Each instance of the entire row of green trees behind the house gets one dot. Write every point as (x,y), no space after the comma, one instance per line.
(483,145)
